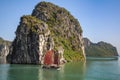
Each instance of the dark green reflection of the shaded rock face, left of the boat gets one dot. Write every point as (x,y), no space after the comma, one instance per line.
(22,72)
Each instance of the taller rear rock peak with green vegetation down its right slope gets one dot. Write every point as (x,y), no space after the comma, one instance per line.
(65,29)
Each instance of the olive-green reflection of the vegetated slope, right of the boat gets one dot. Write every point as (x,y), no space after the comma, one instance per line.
(74,71)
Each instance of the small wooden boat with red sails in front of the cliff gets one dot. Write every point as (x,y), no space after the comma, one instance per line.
(53,59)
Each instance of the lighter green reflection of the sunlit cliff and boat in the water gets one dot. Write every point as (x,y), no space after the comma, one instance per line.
(69,71)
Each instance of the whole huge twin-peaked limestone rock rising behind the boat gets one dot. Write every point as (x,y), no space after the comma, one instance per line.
(49,27)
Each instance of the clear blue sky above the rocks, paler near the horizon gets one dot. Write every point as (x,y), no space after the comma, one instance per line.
(99,19)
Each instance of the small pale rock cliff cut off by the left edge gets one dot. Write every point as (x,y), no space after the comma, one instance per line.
(4,49)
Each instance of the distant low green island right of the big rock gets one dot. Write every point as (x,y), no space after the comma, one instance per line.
(100,49)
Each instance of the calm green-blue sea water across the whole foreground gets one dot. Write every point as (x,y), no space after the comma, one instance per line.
(92,70)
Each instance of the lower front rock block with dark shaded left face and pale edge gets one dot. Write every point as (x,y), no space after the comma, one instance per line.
(32,40)
